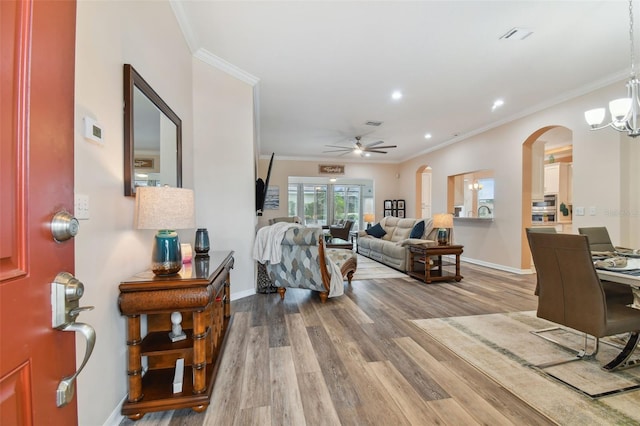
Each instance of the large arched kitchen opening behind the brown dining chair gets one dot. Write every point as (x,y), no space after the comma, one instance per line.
(546,145)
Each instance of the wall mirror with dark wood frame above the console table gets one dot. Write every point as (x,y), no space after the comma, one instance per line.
(152,137)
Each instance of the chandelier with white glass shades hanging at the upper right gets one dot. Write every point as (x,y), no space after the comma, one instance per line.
(624,111)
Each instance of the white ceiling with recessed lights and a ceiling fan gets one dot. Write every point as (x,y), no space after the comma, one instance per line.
(327,67)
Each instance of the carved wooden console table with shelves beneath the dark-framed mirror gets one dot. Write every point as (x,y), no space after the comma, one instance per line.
(201,293)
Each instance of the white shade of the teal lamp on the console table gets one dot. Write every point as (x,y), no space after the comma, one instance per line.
(164,207)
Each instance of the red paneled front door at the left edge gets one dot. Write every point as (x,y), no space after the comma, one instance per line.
(37,39)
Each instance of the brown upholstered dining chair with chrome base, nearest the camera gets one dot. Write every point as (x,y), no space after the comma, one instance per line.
(571,294)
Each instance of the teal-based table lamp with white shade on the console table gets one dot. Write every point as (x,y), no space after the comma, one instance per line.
(165,209)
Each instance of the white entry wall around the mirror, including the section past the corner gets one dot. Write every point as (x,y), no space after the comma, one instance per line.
(108,249)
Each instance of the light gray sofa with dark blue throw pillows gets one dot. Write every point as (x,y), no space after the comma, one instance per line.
(392,249)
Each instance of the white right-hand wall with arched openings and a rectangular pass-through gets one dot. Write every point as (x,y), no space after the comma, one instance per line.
(597,179)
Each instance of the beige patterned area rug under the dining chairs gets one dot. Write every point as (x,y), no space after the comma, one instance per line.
(501,346)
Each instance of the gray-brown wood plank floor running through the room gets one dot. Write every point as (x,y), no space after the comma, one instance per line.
(358,360)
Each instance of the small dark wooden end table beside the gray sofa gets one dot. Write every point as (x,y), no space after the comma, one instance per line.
(430,263)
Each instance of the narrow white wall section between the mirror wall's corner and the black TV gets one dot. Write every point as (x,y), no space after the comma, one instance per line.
(224,168)
